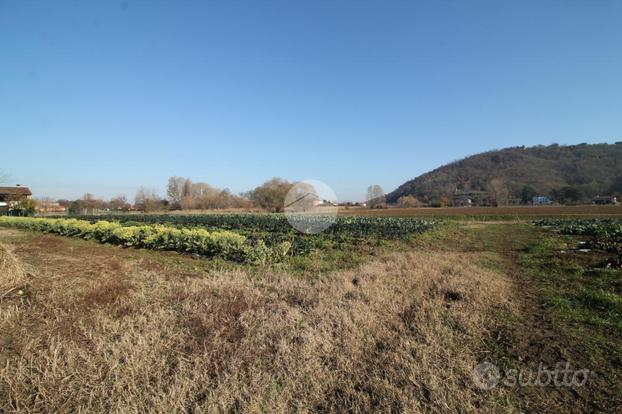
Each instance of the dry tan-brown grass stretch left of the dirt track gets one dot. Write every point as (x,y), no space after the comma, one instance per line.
(112,330)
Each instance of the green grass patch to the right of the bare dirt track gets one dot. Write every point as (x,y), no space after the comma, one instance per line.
(584,302)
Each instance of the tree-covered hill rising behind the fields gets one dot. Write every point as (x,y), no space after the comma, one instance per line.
(565,173)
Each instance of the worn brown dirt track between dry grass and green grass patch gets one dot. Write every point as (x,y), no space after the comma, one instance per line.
(533,338)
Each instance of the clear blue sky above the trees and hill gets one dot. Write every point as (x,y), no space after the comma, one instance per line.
(104,96)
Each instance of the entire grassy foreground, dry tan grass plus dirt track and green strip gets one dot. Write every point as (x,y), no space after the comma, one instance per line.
(97,328)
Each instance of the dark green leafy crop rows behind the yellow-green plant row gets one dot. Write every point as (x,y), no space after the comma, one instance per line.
(343,227)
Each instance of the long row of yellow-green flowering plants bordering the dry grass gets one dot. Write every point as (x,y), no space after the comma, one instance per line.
(223,244)
